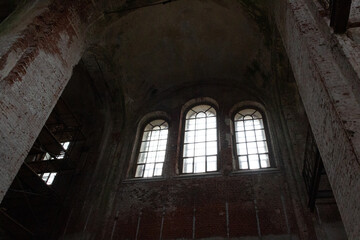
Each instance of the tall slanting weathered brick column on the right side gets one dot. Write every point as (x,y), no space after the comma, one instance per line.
(329,100)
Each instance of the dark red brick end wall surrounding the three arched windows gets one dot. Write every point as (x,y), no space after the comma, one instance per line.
(248,196)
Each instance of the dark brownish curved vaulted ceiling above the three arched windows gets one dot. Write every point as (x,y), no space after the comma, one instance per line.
(146,48)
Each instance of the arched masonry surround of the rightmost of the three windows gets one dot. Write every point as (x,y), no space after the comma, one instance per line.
(268,132)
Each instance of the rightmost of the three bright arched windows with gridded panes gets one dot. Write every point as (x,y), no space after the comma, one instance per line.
(251,145)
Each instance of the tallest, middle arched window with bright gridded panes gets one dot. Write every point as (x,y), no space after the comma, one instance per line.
(200,140)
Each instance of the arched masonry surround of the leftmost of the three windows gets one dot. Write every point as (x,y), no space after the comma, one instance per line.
(144,121)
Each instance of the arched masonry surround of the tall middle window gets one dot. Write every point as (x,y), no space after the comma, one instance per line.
(180,145)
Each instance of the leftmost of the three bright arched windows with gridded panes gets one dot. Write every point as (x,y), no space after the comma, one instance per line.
(152,150)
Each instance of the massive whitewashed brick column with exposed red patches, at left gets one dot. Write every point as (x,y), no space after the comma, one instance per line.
(39,45)
